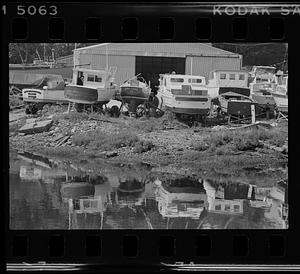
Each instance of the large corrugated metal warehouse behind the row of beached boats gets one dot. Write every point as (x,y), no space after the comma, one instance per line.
(151,59)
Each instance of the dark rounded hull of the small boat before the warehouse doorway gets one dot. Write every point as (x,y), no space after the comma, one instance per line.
(133,96)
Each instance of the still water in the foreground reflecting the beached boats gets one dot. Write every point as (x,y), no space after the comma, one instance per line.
(46,195)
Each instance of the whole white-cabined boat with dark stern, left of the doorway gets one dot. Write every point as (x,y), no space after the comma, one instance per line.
(91,86)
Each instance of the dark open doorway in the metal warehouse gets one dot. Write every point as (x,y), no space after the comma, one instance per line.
(151,67)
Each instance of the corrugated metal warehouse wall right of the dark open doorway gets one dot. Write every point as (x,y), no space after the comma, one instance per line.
(203,65)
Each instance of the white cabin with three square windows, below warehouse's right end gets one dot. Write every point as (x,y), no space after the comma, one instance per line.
(228,78)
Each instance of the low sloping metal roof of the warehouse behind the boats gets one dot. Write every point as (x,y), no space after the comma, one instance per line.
(148,49)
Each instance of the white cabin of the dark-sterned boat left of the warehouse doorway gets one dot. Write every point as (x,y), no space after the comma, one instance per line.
(92,78)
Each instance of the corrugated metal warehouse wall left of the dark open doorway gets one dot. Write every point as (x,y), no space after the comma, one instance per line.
(125,64)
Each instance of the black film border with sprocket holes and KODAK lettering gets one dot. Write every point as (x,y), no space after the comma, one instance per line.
(43,248)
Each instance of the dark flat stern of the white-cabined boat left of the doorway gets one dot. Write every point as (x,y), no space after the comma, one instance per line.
(81,94)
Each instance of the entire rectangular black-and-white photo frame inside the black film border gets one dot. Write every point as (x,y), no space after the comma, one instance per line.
(148,136)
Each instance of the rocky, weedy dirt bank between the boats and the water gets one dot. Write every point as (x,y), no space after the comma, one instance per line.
(258,156)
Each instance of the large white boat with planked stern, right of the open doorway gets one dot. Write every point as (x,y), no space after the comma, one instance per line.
(183,94)
